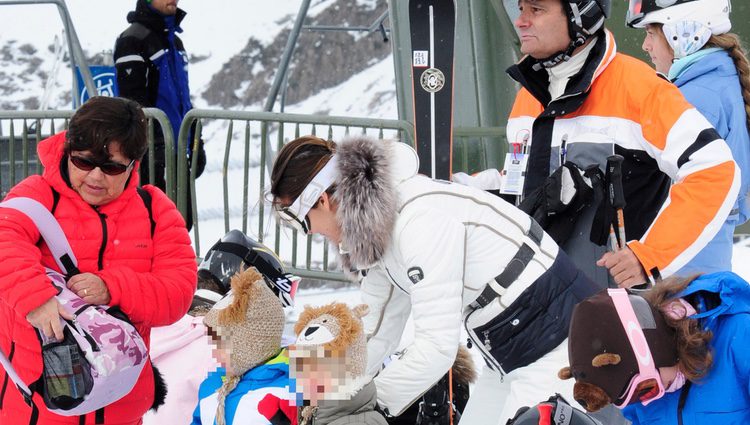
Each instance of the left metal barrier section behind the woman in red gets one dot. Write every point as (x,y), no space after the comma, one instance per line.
(20,131)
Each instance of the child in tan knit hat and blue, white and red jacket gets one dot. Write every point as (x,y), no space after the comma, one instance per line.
(252,386)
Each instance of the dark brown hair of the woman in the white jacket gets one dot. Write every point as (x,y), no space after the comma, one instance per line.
(296,165)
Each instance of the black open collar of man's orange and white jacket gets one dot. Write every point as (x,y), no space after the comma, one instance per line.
(537,81)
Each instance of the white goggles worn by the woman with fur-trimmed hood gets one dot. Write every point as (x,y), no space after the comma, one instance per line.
(295,215)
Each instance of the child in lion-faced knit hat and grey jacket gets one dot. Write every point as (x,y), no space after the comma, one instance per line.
(327,367)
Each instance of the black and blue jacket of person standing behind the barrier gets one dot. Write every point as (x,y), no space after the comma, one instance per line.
(151,63)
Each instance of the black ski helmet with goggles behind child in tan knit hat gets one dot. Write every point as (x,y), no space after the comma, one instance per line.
(234,252)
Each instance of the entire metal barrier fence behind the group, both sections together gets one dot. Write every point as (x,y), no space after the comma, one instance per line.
(240,148)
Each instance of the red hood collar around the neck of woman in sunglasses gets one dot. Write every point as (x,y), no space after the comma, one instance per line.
(51,155)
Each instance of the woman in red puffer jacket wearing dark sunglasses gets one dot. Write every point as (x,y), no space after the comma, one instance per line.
(129,255)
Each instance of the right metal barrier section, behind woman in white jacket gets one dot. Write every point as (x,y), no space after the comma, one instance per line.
(250,141)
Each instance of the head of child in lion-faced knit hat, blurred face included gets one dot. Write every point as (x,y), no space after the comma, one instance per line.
(330,342)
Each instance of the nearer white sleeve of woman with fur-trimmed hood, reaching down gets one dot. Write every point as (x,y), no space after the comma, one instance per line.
(434,243)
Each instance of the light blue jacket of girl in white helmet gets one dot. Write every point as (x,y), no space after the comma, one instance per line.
(711,84)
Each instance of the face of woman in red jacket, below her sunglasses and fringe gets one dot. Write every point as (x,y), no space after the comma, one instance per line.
(94,186)
